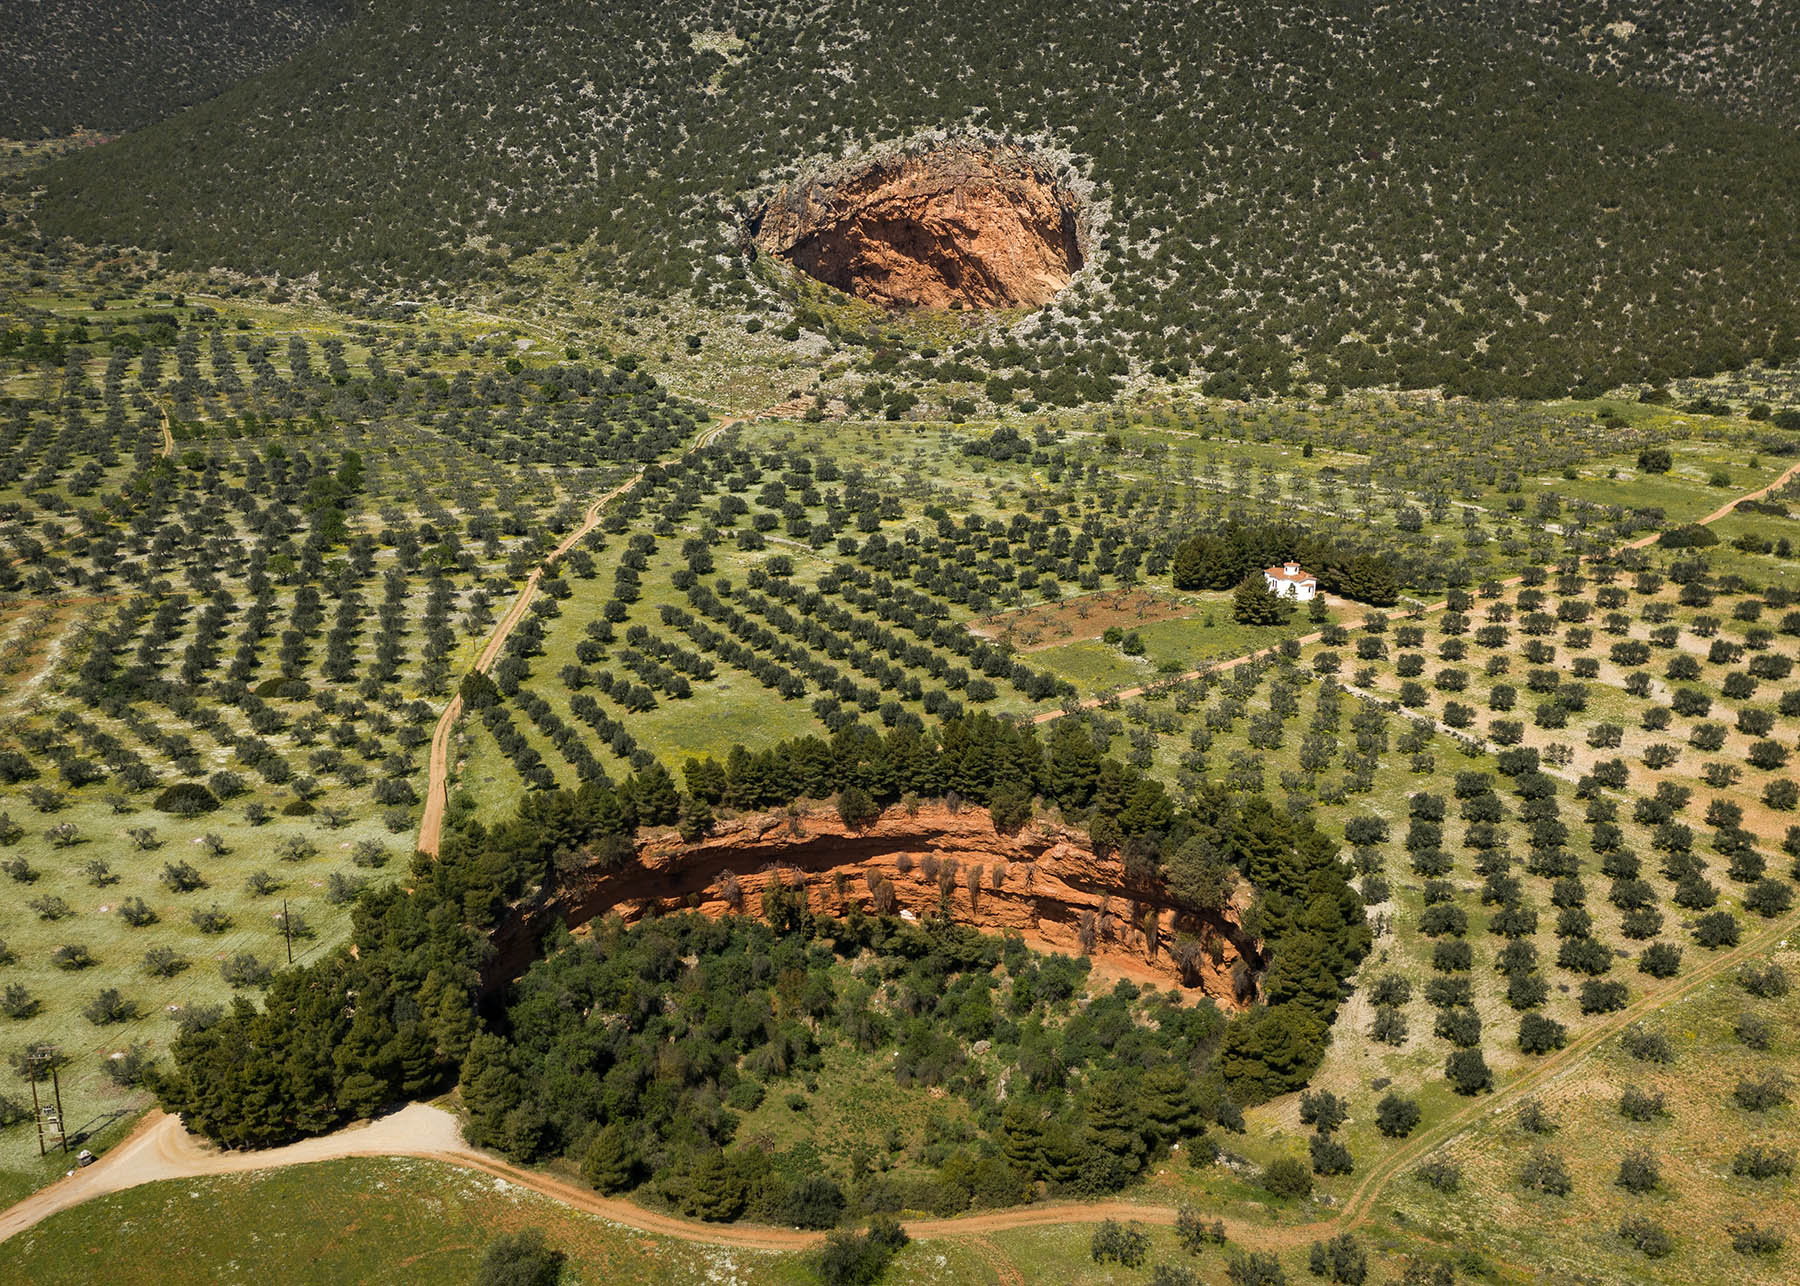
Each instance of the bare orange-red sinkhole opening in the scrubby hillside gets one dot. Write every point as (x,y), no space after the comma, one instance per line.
(951,228)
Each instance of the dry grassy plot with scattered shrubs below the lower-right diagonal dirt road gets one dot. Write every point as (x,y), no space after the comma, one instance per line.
(1677,1141)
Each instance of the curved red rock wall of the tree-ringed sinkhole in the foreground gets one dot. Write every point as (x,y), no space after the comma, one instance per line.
(1041,883)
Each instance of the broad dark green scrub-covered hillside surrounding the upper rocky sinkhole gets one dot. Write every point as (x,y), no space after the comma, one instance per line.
(1281,194)
